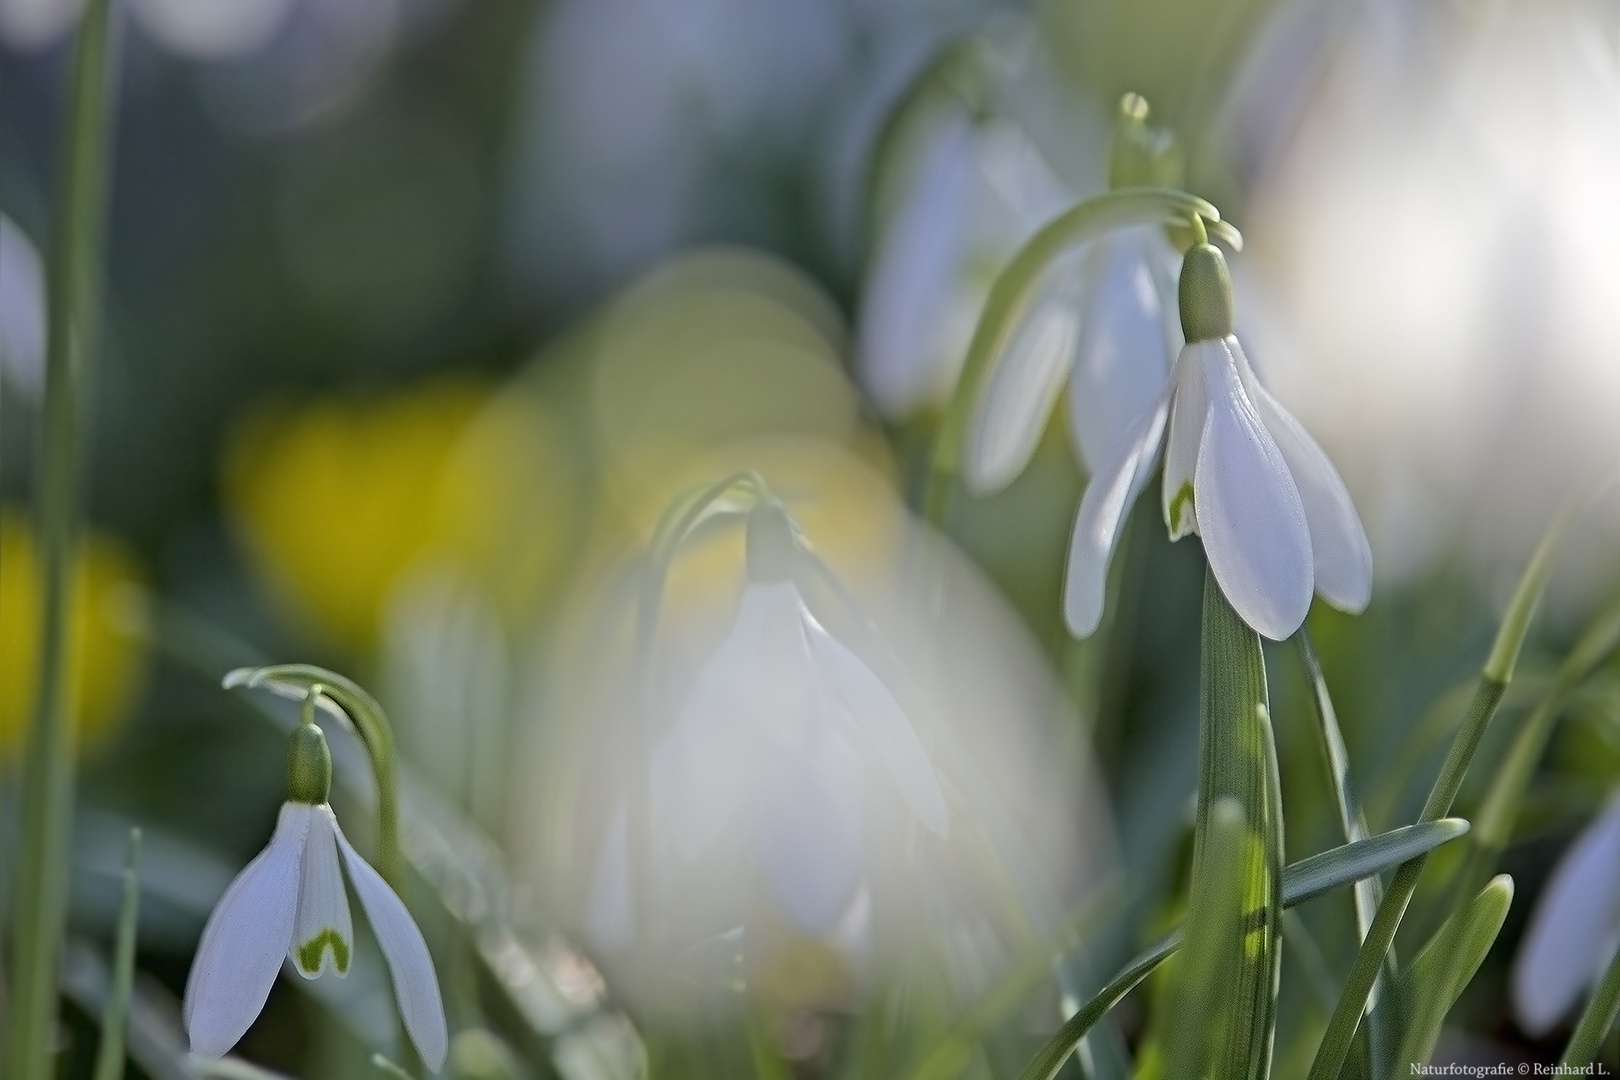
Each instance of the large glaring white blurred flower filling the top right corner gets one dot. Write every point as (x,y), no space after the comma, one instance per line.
(1472,150)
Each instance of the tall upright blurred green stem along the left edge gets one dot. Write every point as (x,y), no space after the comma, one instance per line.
(72,346)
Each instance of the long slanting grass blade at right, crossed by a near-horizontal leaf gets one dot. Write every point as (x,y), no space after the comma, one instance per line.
(1493,684)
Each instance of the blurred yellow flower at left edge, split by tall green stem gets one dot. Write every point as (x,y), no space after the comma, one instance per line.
(108,660)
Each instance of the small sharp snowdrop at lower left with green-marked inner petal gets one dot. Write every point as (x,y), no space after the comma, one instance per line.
(291,903)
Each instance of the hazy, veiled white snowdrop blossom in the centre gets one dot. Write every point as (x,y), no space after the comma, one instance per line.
(778,750)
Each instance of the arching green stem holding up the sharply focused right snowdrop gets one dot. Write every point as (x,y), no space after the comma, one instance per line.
(1115,210)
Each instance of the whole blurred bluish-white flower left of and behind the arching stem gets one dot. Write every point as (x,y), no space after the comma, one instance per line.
(973,197)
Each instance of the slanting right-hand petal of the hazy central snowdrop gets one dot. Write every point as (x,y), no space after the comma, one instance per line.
(880,723)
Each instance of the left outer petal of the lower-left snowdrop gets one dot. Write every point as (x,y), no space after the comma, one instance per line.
(245,940)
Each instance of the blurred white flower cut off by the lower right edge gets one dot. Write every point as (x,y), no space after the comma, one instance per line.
(1574,930)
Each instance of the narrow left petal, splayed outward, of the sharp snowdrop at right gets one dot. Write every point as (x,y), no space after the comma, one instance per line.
(1104,509)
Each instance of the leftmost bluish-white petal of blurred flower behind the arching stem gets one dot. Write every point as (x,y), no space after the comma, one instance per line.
(903,354)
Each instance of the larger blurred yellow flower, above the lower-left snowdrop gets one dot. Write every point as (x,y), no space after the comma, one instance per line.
(343,501)
